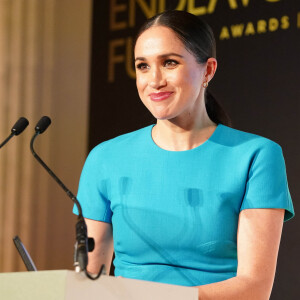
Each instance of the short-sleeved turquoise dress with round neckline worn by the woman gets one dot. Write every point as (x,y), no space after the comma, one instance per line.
(175,213)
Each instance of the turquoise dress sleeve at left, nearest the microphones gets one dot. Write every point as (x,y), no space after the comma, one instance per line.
(93,188)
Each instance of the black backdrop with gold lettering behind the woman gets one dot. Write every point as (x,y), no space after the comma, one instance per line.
(257,82)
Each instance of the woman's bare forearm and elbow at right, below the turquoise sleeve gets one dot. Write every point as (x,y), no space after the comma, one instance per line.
(258,239)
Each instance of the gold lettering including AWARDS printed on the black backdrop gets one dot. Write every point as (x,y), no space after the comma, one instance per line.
(123,18)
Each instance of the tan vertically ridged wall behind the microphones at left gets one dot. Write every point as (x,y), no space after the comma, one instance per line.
(44,70)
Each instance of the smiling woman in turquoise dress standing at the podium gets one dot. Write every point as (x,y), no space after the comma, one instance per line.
(188,201)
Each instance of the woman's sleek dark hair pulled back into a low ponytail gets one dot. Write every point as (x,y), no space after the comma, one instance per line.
(198,39)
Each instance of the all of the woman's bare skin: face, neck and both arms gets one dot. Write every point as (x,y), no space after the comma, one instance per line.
(164,65)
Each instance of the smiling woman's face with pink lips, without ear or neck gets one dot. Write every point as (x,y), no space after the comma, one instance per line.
(168,78)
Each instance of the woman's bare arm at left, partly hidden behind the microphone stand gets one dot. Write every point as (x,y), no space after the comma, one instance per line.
(103,251)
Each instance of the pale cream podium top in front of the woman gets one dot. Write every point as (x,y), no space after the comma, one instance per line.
(67,285)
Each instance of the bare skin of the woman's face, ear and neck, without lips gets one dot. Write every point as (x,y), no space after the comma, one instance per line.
(164,65)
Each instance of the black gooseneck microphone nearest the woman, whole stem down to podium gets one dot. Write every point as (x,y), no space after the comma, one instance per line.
(83,243)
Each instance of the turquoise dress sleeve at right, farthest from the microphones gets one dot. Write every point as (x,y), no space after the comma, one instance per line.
(267,185)
